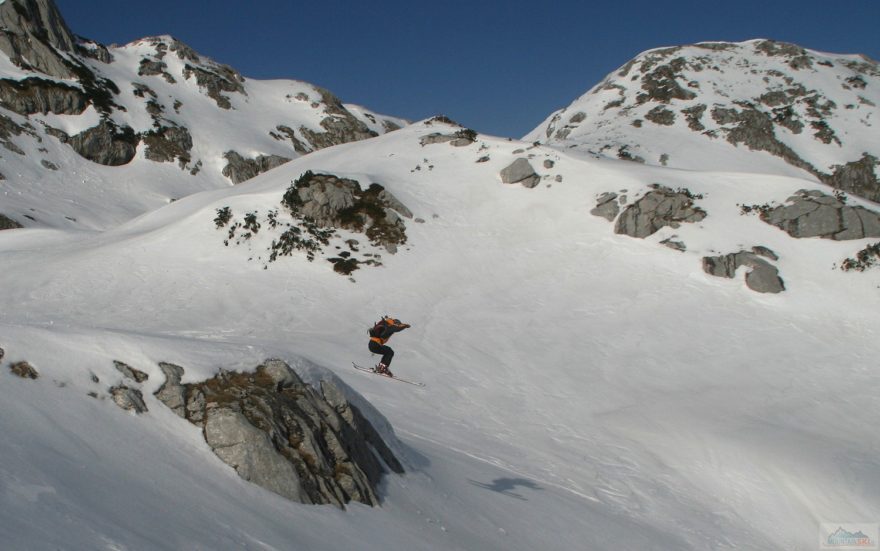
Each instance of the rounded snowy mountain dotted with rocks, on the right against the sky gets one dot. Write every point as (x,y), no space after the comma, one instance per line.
(760,105)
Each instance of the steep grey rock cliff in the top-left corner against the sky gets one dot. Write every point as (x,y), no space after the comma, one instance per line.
(34,35)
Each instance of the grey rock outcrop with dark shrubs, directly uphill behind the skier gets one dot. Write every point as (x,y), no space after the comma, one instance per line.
(334,202)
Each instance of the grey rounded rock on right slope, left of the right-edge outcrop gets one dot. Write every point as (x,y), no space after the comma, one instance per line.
(658,208)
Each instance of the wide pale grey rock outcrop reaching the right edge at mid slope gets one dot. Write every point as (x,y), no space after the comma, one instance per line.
(815,214)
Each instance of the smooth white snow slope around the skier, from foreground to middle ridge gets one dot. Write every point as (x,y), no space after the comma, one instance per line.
(584,389)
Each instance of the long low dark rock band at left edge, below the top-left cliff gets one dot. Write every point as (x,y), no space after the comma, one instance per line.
(37,95)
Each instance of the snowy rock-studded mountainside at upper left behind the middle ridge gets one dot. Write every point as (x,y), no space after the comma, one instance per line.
(91,136)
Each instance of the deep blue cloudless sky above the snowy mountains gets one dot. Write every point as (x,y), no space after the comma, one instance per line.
(499,67)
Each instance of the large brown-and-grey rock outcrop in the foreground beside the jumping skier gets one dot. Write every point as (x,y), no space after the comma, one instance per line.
(286,436)
